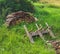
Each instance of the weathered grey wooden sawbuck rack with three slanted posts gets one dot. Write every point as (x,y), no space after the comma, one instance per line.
(38,32)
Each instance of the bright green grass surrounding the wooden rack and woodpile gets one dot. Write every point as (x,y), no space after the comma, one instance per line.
(14,40)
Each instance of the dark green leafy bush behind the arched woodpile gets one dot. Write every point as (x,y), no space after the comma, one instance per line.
(8,6)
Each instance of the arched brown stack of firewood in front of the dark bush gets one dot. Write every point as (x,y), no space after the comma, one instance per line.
(19,16)
